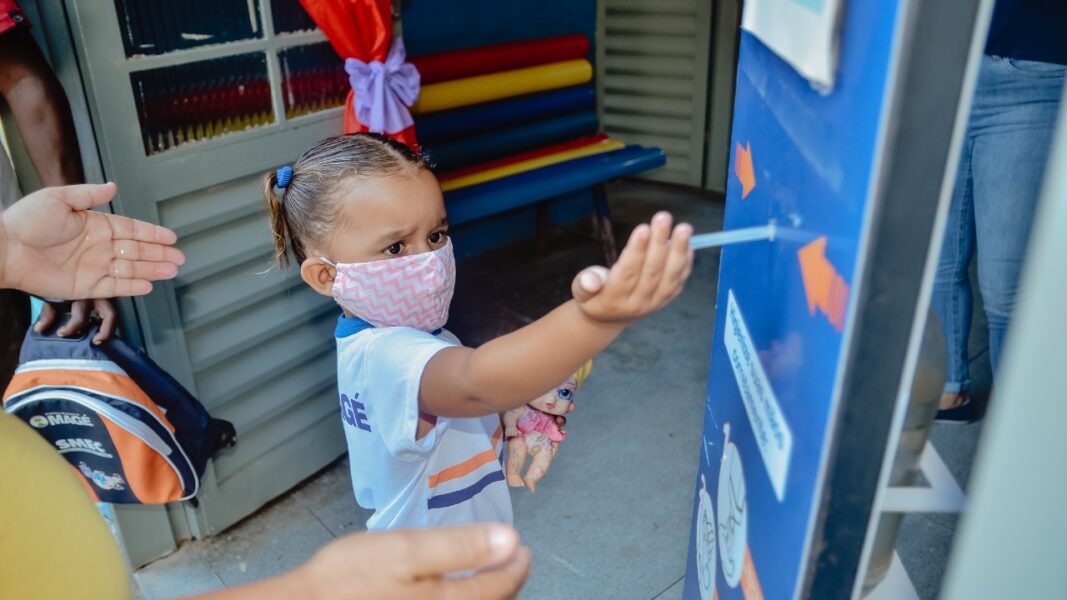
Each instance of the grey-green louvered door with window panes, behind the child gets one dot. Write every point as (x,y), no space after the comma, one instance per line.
(190,109)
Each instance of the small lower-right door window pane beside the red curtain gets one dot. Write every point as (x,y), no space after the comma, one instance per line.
(313,80)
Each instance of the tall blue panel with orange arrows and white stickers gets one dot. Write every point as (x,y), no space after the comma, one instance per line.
(814,160)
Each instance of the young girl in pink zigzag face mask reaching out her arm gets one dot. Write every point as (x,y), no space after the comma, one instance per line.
(365,220)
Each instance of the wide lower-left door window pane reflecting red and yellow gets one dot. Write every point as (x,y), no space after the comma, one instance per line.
(180,105)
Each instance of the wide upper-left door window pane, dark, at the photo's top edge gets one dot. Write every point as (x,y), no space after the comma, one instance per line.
(156,27)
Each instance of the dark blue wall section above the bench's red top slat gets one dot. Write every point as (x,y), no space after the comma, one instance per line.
(431,26)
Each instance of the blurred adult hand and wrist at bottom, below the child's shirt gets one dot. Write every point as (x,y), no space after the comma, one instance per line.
(403,565)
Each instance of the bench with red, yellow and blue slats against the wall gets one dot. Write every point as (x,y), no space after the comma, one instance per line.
(516,125)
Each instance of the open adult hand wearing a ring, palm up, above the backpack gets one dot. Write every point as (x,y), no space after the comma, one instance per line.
(52,245)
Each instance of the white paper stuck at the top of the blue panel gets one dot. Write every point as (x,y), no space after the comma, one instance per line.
(803,33)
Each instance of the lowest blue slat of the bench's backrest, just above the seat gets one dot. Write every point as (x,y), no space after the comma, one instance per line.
(489,147)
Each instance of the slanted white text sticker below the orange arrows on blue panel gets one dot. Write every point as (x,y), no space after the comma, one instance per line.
(773,435)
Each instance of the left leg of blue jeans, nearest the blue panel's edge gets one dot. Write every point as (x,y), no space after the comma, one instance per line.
(952,302)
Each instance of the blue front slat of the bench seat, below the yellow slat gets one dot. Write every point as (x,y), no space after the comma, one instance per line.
(507,194)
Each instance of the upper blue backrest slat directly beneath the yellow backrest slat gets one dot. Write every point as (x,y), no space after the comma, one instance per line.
(467,122)
